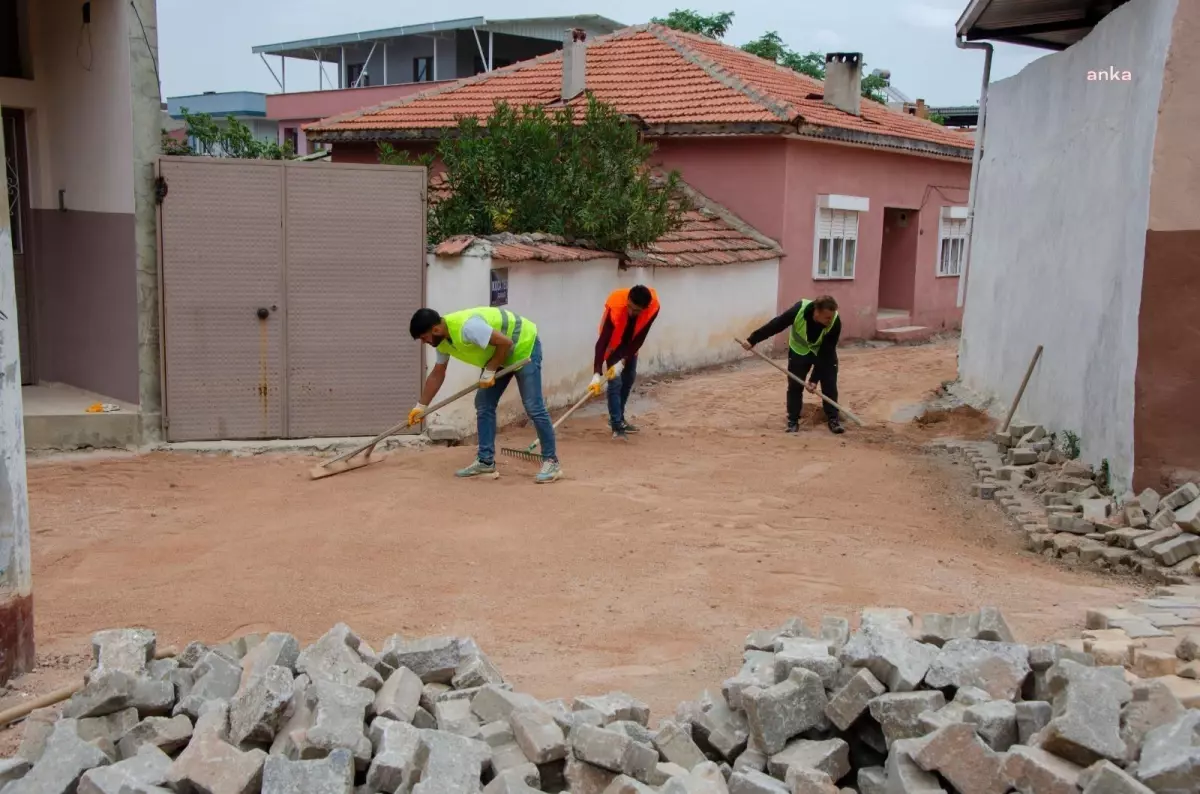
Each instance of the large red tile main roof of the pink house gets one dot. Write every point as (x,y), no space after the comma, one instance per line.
(675,83)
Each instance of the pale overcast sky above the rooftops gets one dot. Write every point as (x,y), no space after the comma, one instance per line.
(207,49)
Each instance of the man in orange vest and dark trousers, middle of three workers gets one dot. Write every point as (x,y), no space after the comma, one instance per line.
(628,316)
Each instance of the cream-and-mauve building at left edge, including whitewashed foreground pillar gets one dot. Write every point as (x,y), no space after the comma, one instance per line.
(82,119)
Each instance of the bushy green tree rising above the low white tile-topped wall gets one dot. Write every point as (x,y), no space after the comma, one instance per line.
(530,171)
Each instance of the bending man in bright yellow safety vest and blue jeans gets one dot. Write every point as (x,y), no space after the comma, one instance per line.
(489,339)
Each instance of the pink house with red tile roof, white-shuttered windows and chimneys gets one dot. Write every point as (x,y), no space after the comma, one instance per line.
(863,200)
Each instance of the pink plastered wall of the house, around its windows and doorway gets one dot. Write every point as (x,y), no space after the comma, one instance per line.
(773,184)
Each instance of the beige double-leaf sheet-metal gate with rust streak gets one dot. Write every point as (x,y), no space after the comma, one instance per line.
(286,296)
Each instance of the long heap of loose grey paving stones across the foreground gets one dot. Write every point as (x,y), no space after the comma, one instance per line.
(946,703)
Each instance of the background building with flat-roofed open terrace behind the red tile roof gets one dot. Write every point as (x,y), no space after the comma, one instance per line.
(373,68)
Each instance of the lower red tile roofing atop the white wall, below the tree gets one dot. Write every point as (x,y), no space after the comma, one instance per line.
(709,236)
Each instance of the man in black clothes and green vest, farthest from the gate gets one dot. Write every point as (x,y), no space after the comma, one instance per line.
(813,346)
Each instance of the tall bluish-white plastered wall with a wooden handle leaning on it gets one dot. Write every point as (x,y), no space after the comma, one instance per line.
(1063,210)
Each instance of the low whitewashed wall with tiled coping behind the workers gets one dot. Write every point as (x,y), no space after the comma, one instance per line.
(703,310)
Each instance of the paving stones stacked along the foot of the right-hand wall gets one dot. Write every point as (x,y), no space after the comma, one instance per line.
(1064,512)
